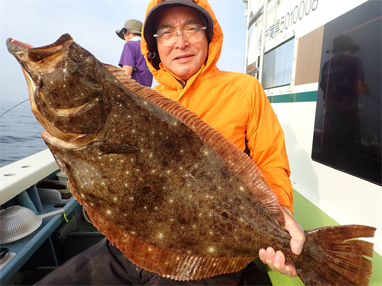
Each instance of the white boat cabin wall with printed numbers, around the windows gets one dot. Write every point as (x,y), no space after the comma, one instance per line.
(346,198)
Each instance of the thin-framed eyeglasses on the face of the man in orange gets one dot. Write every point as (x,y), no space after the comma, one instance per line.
(192,32)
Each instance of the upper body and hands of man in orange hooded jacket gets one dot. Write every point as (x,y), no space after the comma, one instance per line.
(184,65)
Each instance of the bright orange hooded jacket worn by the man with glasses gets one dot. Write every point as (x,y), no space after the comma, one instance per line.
(235,105)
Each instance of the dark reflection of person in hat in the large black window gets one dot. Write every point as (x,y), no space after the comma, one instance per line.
(342,82)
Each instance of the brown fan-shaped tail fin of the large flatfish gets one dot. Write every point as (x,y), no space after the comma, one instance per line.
(334,256)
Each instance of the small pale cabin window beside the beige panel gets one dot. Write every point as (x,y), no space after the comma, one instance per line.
(278,64)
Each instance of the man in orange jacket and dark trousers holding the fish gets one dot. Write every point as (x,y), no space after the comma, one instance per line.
(182,43)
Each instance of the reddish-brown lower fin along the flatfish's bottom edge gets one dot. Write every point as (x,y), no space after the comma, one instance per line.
(167,263)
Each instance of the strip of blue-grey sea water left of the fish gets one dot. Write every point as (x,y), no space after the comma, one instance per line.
(20,132)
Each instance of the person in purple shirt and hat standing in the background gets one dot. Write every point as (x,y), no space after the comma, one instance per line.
(132,60)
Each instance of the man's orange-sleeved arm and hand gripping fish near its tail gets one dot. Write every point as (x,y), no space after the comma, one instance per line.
(266,144)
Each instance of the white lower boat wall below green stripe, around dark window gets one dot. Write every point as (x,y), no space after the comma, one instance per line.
(345,198)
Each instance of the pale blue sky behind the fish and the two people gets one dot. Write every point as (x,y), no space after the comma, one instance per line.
(92,24)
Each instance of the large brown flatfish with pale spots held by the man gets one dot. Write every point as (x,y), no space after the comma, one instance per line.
(174,195)
